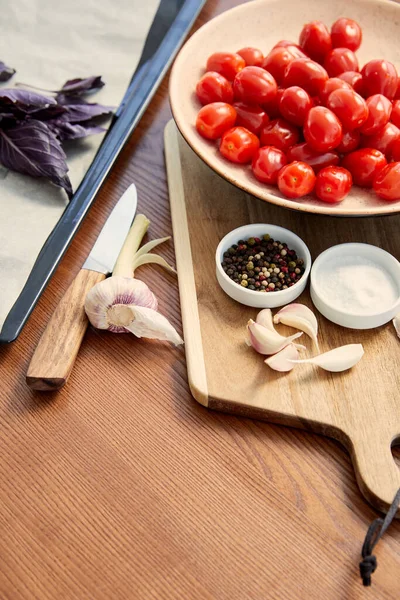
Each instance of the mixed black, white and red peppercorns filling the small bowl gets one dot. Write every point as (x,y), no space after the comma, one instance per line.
(262,264)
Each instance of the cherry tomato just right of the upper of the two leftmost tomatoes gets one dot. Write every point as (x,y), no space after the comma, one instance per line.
(254,85)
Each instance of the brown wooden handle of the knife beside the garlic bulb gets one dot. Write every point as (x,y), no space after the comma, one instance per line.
(58,347)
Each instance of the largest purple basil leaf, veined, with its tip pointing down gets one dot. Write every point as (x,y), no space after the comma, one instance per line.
(31,148)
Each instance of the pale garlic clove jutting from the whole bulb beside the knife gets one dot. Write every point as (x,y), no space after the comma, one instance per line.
(149,323)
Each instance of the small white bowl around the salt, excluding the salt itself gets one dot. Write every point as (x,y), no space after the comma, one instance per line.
(354,319)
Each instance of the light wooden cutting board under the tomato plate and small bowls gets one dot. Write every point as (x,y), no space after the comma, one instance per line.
(360,407)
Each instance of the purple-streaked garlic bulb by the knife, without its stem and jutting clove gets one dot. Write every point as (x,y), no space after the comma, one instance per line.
(106,303)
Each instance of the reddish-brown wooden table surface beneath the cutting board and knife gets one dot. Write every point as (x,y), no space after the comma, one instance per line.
(120,486)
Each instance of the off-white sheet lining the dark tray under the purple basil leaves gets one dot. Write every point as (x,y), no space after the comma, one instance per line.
(47,43)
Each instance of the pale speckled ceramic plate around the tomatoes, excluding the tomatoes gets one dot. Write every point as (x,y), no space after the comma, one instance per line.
(262,23)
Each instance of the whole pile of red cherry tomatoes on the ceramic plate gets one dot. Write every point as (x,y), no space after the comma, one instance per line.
(304,116)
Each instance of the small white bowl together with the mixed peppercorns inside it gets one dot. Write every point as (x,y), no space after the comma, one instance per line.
(262,265)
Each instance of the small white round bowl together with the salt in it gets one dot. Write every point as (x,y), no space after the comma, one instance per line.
(356,285)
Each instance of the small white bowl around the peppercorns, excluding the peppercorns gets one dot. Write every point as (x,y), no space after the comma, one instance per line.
(251,297)
